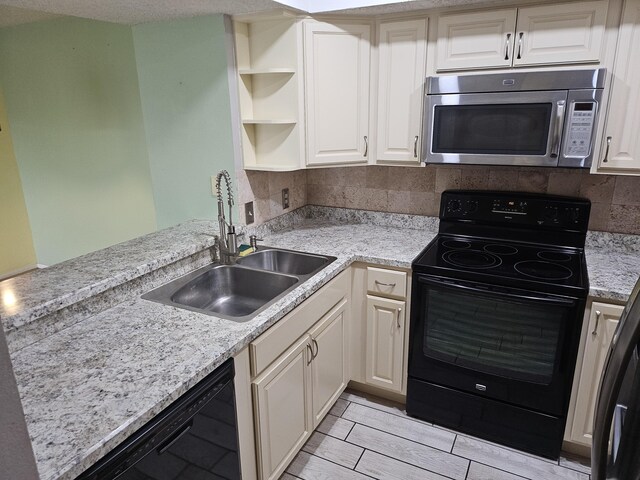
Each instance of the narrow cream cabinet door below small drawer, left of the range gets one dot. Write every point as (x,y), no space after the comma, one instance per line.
(385,342)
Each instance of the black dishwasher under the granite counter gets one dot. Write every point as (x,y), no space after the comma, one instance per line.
(194,438)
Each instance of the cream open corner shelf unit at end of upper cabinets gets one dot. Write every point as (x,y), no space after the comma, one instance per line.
(271,93)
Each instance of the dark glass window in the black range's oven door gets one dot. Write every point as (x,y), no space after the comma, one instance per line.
(510,337)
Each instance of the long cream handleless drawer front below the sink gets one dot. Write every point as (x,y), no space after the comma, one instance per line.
(270,345)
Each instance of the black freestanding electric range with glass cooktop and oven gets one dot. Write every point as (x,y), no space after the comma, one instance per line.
(497,304)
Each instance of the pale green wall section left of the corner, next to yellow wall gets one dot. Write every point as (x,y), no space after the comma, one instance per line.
(72,98)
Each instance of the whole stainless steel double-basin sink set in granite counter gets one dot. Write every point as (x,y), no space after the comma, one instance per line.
(240,291)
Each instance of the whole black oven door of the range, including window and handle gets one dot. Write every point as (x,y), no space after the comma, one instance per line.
(506,344)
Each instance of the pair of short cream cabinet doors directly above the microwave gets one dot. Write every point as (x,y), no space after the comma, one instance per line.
(549,34)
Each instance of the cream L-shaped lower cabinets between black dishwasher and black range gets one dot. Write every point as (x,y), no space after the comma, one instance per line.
(353,328)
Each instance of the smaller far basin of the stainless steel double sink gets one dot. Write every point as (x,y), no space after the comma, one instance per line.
(285,261)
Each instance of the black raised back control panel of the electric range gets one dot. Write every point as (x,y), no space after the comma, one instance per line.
(516,208)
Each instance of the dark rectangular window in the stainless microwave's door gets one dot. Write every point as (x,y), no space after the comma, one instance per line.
(492,129)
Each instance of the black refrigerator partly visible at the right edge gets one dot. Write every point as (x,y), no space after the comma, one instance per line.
(615,450)
